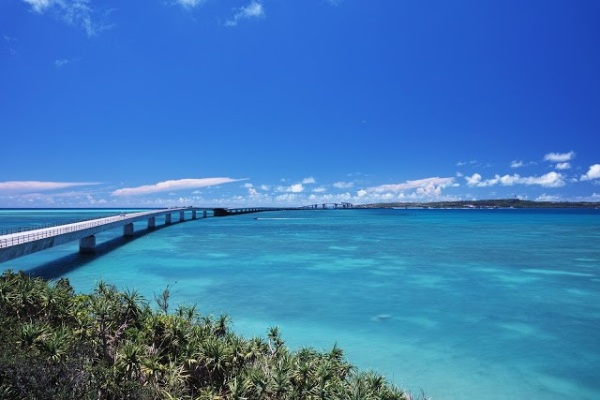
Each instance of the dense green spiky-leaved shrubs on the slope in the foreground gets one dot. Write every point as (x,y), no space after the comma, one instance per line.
(57,344)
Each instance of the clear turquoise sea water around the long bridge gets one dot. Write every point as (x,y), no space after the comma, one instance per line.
(463,304)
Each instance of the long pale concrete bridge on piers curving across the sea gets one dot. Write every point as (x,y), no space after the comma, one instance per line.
(18,244)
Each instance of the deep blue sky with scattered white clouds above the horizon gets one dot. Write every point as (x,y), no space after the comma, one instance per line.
(280,102)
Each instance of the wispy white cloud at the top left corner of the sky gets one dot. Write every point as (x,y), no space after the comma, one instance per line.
(77,13)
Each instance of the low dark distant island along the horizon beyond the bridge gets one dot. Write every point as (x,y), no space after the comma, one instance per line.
(497,203)
